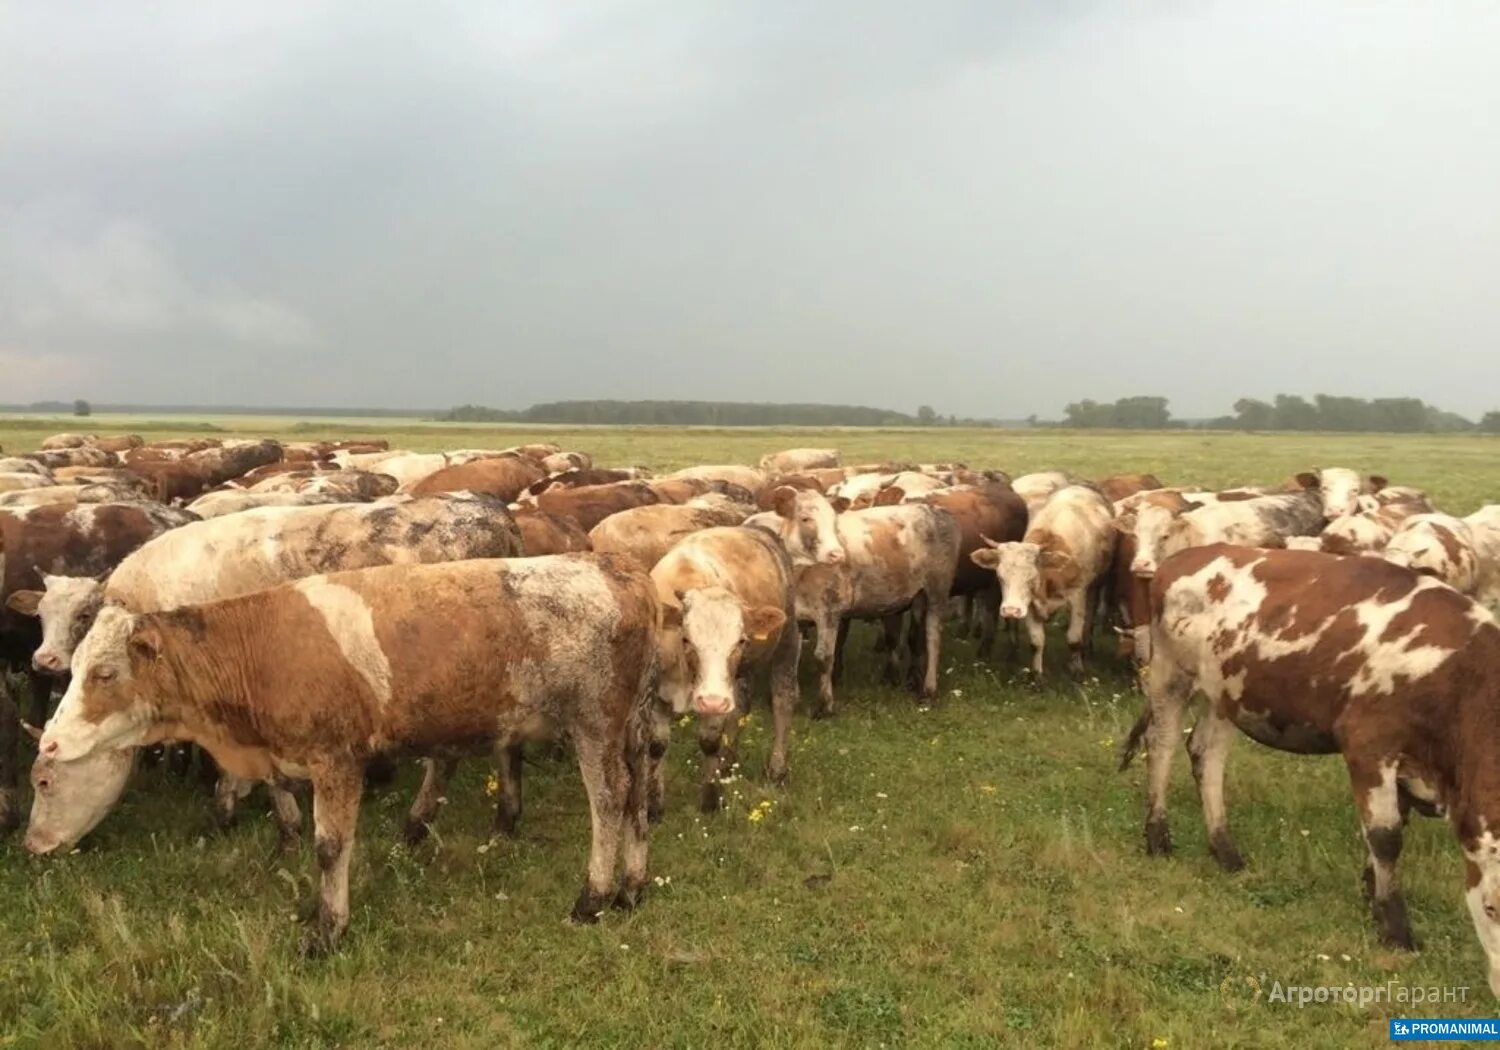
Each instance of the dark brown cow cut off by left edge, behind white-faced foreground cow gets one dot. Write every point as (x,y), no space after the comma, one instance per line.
(61,541)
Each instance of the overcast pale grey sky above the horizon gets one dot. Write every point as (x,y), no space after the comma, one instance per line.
(989,208)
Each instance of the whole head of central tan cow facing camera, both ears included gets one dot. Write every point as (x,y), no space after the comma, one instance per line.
(713,629)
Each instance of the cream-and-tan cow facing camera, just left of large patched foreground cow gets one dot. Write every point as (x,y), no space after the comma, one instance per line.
(1061,563)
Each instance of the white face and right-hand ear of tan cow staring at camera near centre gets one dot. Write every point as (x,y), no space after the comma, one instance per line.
(716,631)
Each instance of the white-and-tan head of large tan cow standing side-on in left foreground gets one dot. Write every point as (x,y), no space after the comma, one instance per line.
(107,704)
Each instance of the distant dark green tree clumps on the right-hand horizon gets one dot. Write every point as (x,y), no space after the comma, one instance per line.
(1285,413)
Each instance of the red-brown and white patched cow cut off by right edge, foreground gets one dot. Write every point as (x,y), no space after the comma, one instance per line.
(1316,655)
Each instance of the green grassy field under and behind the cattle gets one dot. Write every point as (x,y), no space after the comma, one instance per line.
(962,875)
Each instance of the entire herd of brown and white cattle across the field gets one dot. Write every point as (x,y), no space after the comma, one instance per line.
(301,613)
